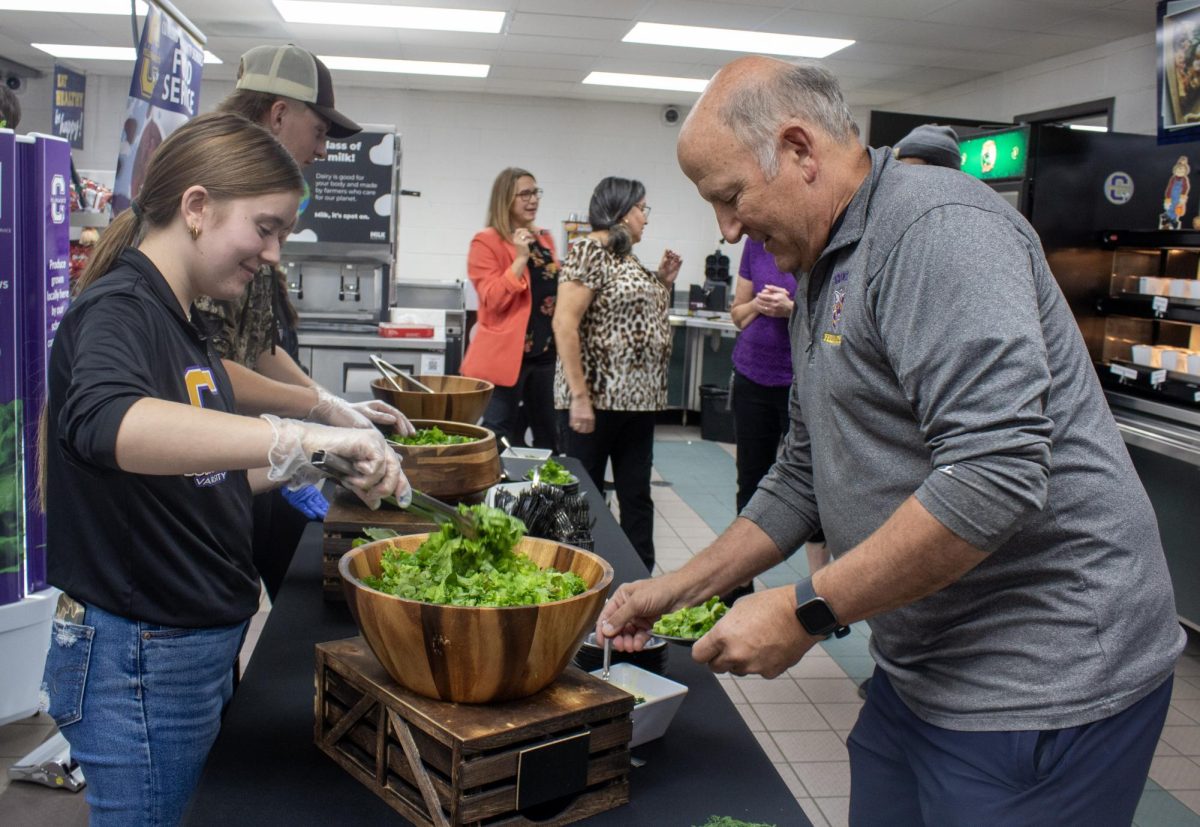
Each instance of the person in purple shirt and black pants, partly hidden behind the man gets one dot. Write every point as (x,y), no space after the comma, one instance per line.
(763,376)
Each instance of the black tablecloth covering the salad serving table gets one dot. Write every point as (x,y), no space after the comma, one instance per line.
(265,769)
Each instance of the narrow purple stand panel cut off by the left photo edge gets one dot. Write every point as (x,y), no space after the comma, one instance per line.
(13,506)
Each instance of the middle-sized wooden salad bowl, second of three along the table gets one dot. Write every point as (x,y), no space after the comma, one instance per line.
(451,472)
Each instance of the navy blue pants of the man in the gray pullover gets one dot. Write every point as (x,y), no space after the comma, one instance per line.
(908,772)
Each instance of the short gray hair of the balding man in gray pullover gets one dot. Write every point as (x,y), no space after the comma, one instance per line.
(806,91)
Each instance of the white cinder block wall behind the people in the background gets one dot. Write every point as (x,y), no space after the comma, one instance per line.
(455,143)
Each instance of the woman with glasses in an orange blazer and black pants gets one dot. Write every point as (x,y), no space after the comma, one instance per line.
(514,268)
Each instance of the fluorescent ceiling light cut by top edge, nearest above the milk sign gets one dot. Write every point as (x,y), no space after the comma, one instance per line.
(389,17)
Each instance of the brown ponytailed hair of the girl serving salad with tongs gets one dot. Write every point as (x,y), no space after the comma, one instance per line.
(226,154)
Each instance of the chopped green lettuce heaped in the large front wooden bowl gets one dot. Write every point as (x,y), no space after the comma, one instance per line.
(455,571)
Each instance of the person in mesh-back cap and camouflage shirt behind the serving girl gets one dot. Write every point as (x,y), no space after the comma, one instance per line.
(287,91)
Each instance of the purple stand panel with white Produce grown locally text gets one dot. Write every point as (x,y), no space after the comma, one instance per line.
(44,289)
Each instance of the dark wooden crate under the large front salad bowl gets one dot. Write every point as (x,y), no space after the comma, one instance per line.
(448,765)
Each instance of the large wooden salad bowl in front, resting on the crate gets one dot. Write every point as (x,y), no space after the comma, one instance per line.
(475,655)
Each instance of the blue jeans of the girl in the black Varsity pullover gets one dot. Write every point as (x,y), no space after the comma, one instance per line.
(141,706)
